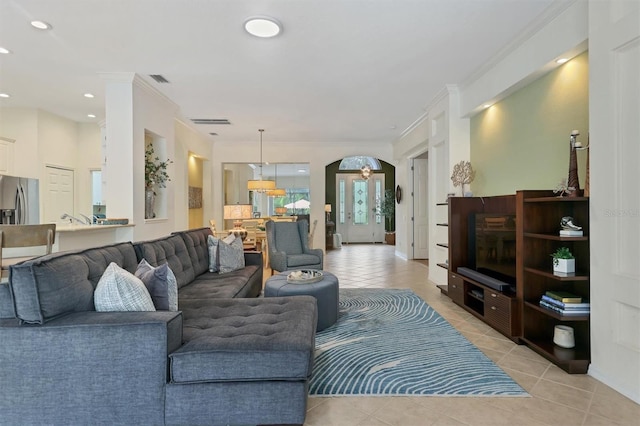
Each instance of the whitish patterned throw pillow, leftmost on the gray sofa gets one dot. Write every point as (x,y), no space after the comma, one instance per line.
(119,290)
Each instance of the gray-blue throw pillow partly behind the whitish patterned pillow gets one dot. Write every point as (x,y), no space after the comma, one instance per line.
(161,284)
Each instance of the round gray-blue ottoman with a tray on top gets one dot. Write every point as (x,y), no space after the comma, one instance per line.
(325,291)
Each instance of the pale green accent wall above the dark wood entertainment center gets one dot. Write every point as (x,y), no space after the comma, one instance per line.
(522,142)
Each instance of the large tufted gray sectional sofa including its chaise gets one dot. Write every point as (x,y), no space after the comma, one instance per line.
(226,357)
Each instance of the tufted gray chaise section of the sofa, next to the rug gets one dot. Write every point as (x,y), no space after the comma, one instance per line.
(244,361)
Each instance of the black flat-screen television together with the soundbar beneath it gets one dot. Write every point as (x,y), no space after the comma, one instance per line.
(492,250)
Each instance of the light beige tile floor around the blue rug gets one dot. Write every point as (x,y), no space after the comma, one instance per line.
(557,398)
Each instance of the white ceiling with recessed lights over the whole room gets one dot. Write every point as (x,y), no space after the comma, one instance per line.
(356,71)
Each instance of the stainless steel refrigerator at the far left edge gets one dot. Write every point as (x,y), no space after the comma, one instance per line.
(19,200)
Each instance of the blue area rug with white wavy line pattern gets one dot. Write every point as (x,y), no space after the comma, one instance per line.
(389,342)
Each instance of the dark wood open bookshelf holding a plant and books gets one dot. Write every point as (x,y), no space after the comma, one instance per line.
(538,217)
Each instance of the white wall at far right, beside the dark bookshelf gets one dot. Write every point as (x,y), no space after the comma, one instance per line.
(614,214)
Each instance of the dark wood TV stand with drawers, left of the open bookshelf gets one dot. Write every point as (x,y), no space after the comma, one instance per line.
(499,309)
